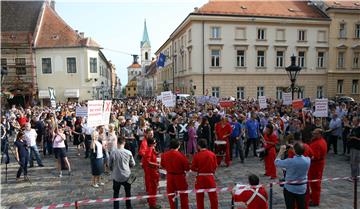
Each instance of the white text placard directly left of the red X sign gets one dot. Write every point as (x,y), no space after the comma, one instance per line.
(95,111)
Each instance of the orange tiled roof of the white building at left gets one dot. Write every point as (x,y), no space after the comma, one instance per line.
(55,32)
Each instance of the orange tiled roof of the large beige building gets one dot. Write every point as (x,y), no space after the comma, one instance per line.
(290,9)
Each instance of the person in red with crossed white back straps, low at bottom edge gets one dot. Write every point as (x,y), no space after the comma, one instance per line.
(243,197)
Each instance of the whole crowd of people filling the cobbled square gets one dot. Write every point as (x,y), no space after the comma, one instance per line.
(189,137)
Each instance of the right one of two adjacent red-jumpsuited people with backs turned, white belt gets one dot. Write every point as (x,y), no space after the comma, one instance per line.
(205,164)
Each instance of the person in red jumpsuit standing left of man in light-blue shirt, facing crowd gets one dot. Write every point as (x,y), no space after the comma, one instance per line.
(270,140)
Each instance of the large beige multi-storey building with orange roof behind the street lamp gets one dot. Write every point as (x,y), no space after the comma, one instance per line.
(236,52)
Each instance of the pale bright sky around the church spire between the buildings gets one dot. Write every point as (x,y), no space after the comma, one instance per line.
(117,25)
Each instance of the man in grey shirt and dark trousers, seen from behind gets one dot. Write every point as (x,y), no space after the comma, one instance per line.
(120,162)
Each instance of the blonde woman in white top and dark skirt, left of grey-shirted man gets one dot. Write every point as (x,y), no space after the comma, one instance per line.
(96,159)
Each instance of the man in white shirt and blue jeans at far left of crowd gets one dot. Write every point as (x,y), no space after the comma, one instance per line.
(30,137)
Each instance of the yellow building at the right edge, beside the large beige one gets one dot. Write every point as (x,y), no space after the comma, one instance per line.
(344,47)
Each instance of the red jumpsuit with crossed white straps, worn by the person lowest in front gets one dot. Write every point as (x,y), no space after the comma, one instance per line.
(256,203)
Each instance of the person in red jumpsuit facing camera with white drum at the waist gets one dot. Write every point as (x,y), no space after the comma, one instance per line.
(222,132)
